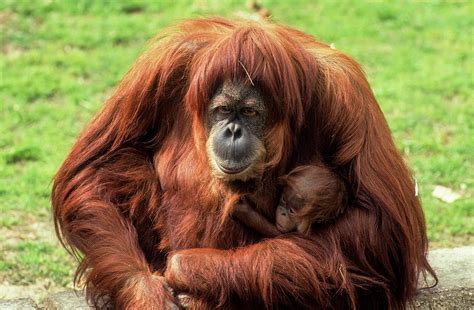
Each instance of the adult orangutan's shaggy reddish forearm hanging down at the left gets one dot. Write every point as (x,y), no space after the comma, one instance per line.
(113,263)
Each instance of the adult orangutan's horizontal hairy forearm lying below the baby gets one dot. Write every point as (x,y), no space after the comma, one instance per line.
(291,270)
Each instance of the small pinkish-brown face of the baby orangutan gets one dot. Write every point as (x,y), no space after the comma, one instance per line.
(286,219)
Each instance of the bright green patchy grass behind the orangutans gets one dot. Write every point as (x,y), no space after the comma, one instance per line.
(61,59)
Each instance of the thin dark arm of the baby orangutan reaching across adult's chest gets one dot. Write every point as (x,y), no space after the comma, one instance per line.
(251,218)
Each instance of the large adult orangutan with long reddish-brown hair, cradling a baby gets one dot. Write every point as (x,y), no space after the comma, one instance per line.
(215,109)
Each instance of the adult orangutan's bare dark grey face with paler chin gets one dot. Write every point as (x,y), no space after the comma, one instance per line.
(236,127)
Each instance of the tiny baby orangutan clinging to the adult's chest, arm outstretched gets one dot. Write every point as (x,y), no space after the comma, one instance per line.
(311,194)
